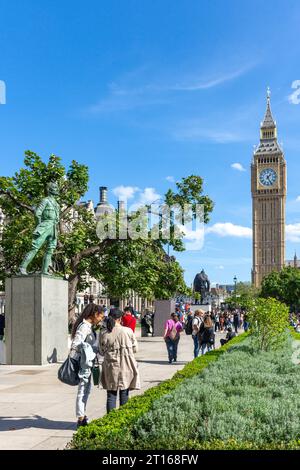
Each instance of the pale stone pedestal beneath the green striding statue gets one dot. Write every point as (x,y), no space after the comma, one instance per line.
(36,319)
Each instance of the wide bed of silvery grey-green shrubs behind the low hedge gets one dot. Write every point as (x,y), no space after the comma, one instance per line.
(248,399)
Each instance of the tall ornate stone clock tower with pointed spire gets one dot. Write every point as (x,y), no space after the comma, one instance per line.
(268,187)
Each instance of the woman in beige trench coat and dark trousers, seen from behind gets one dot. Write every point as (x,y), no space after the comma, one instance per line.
(119,370)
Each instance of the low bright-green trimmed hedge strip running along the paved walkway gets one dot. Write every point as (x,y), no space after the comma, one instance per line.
(113,431)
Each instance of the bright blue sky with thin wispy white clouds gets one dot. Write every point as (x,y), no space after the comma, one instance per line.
(145,90)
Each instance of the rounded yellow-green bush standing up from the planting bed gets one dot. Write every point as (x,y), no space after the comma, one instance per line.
(268,322)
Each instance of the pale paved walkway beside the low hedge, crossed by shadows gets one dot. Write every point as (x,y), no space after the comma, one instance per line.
(37,411)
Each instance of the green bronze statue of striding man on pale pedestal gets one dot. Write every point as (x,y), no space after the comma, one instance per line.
(46,231)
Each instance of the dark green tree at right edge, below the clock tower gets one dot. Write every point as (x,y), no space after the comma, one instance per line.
(283,286)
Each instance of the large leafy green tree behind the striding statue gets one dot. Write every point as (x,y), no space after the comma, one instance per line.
(121,265)
